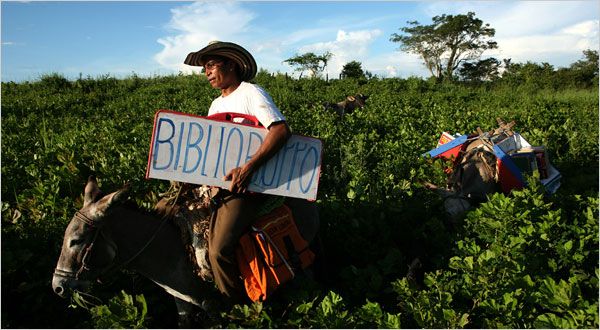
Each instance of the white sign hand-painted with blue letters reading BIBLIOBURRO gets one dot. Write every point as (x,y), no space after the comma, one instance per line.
(198,150)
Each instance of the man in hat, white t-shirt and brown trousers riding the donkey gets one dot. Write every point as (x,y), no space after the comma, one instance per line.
(229,67)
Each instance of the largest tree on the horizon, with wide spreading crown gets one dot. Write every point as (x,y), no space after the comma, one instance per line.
(448,42)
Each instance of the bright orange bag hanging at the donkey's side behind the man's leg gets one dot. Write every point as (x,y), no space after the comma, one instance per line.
(271,253)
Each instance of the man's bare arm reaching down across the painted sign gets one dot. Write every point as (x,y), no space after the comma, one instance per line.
(240,177)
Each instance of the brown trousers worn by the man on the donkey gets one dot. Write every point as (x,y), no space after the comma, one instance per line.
(233,218)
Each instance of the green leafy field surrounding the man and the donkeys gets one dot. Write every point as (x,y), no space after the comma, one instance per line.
(519,261)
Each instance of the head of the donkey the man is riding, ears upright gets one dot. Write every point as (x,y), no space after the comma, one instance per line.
(85,251)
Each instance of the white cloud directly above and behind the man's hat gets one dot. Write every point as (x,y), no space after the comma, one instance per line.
(195,25)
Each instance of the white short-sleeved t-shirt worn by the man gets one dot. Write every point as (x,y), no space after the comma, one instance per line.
(249,99)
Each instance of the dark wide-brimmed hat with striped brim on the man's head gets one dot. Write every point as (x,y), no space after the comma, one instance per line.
(230,50)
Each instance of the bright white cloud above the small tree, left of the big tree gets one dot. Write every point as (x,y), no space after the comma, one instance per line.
(347,47)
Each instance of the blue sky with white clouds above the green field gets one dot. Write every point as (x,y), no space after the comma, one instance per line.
(118,38)
